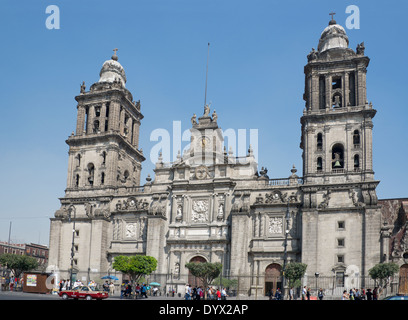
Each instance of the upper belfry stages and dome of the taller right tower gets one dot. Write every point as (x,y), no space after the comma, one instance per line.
(337,120)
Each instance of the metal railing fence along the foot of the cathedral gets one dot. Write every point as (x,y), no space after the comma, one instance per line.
(241,286)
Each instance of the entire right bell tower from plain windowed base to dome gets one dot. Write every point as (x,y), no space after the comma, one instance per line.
(340,218)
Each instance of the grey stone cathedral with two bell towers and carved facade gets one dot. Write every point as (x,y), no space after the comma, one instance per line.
(210,206)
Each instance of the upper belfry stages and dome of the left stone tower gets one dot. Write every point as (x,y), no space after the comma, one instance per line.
(103,151)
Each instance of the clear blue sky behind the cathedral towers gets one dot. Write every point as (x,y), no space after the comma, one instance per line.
(255,81)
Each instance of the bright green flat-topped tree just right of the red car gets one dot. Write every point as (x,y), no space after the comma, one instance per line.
(135,266)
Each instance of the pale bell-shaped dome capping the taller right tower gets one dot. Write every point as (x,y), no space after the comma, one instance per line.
(333,36)
